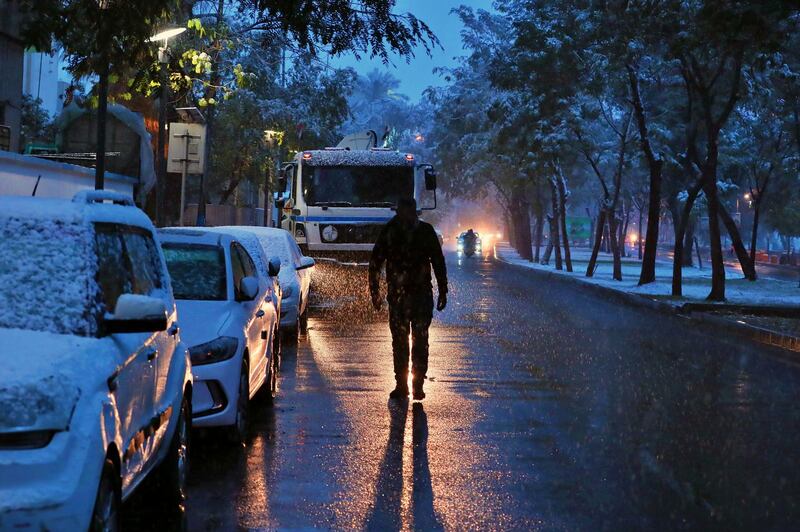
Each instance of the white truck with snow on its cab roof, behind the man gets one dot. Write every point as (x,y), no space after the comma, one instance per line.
(335,201)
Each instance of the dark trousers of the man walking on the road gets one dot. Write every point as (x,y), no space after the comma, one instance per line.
(410,313)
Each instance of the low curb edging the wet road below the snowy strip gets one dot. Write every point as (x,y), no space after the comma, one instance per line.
(780,341)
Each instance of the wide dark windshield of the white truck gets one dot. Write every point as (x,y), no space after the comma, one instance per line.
(357,186)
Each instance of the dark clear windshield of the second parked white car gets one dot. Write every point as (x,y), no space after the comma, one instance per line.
(197,271)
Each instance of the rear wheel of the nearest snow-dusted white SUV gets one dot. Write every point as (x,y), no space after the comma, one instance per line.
(172,474)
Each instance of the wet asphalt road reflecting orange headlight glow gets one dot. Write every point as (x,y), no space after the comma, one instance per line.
(547,408)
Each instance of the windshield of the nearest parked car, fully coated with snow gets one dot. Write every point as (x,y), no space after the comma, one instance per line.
(46,276)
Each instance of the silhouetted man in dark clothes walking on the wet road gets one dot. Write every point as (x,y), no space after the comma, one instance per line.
(409,247)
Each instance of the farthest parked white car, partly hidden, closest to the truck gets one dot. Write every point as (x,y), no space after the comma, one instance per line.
(295,276)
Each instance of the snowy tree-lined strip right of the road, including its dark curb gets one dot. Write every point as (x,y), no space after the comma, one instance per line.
(752,309)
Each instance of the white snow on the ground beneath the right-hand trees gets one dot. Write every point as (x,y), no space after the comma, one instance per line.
(696,282)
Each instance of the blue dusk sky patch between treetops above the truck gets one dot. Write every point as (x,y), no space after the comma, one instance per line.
(416,75)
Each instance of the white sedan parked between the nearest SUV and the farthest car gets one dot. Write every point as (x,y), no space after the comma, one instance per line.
(229,322)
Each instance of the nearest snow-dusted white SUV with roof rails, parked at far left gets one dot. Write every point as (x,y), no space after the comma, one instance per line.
(95,382)
